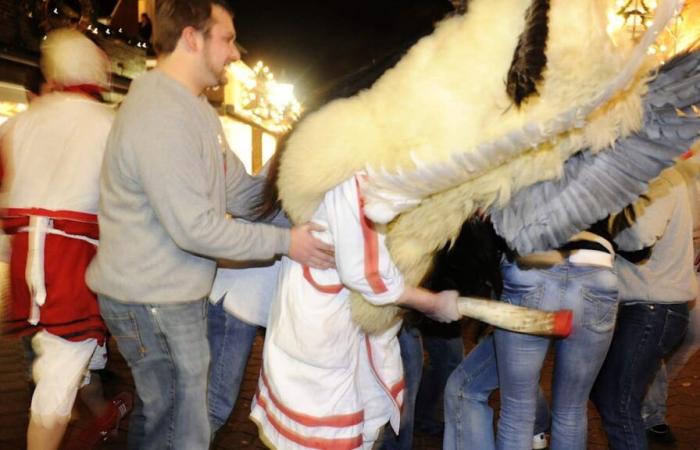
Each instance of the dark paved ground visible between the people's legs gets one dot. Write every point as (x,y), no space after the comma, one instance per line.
(240,433)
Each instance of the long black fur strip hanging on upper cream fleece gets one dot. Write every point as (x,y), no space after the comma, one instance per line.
(529,59)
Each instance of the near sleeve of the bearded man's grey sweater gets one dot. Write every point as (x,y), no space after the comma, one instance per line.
(175,177)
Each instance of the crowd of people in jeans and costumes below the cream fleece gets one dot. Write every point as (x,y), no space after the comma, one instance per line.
(142,226)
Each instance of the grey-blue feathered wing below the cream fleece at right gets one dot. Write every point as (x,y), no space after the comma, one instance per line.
(545,215)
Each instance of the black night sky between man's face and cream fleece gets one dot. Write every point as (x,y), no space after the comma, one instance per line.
(313,43)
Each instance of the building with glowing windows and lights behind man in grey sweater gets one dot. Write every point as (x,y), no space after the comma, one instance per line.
(255,110)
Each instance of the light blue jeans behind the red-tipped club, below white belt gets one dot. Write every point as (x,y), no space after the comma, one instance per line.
(591,293)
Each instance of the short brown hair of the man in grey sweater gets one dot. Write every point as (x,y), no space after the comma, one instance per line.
(173,16)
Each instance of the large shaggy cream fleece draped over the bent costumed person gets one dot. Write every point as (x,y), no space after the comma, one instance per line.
(492,102)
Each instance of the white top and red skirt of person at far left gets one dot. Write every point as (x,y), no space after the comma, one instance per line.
(52,156)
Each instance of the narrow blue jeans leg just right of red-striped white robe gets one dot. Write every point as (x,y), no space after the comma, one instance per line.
(412,359)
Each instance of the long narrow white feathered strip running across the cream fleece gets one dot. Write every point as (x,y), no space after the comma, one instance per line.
(388,193)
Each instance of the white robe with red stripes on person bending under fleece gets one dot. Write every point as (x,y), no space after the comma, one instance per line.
(325,384)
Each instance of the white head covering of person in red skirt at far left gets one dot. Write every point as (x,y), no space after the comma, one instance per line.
(69,58)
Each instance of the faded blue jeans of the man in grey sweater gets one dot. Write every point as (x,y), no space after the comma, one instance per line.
(167,351)
